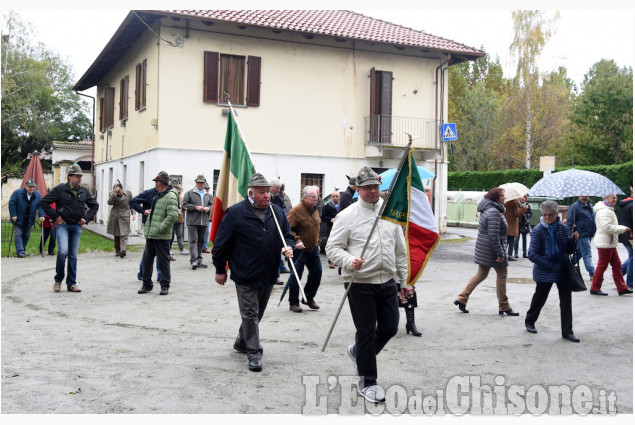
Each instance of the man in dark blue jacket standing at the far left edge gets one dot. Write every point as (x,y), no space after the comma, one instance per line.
(23,205)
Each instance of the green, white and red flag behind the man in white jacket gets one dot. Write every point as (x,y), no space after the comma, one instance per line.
(408,206)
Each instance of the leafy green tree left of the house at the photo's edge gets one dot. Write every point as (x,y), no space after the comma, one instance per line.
(38,104)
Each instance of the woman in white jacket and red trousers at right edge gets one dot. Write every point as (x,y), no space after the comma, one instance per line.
(606,242)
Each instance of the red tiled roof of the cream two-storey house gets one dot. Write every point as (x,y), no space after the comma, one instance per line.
(342,24)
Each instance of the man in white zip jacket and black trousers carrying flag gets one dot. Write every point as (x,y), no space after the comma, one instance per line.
(373,297)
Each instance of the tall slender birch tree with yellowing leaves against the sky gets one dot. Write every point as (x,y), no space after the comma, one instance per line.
(531,33)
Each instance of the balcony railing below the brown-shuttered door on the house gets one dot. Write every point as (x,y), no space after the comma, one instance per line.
(389,130)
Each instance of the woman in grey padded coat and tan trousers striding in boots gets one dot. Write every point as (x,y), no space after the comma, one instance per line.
(491,251)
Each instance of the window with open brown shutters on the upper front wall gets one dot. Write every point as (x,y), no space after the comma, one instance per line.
(226,74)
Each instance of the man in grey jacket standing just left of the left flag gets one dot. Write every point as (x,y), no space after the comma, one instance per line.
(198,204)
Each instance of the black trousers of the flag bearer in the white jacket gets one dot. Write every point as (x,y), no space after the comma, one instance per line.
(375,311)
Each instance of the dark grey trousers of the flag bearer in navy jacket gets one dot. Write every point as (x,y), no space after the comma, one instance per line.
(252,303)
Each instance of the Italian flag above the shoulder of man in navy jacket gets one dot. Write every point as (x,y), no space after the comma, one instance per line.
(235,172)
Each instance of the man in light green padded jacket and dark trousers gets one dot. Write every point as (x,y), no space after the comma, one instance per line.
(158,233)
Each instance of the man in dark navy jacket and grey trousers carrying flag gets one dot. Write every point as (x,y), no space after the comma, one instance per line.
(249,241)
